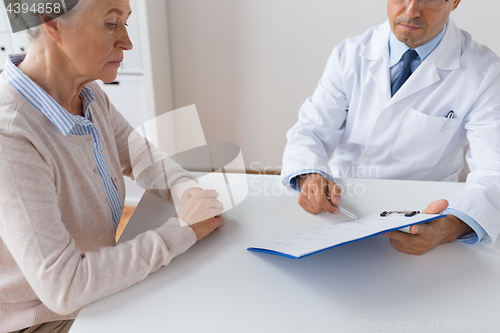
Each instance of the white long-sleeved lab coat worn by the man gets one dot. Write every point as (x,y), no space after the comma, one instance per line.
(352,116)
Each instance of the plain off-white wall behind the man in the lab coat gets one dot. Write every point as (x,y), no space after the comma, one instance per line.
(248,65)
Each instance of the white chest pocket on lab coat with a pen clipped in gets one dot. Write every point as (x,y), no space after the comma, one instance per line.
(423,139)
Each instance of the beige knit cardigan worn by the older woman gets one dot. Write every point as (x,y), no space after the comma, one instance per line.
(57,241)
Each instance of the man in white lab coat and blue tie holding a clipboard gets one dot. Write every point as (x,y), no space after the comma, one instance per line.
(401,102)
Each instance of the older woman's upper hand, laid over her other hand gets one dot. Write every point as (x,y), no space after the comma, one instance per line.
(199,205)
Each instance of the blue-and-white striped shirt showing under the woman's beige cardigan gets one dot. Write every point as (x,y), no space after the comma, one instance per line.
(67,124)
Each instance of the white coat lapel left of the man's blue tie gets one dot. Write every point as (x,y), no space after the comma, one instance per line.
(377,52)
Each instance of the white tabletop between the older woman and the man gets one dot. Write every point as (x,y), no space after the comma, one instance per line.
(219,286)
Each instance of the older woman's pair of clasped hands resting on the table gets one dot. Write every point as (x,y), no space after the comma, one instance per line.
(201,210)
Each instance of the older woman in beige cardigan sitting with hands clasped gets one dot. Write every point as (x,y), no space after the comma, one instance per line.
(63,153)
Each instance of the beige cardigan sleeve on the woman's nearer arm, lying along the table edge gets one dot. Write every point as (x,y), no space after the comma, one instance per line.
(31,227)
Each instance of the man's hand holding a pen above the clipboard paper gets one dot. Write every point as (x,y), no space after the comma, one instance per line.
(315,189)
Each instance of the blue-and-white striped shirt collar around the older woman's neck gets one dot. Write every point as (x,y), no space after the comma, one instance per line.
(62,119)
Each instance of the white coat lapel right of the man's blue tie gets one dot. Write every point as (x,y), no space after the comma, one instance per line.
(446,56)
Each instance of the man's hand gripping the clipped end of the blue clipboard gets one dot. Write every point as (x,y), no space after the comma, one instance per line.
(426,236)
